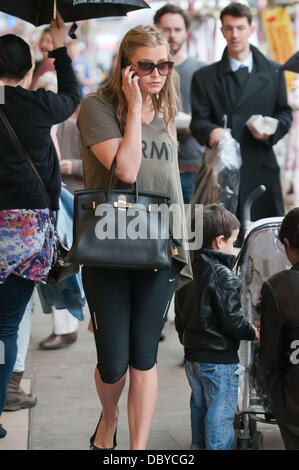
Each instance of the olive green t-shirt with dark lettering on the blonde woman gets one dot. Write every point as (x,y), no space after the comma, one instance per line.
(158,171)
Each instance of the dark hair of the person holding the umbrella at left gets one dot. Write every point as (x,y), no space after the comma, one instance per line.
(15,57)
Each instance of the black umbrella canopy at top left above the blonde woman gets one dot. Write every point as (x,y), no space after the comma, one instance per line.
(40,12)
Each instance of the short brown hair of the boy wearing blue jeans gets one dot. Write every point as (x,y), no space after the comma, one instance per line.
(217,221)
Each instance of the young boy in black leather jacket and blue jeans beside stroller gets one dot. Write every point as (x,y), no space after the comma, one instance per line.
(210,325)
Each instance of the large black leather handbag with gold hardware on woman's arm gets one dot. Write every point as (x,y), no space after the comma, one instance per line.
(122,229)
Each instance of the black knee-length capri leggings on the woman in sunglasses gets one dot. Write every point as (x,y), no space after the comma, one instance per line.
(128,310)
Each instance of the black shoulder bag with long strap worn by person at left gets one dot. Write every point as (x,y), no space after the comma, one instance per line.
(62,268)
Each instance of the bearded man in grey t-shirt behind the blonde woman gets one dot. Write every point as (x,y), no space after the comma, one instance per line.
(175,24)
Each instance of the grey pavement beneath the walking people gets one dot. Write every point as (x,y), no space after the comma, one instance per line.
(68,408)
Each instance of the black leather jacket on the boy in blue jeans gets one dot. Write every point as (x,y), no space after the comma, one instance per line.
(209,318)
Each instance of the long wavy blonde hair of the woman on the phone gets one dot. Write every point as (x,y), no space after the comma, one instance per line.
(165,103)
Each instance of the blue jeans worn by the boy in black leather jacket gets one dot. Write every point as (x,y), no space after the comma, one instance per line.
(213,404)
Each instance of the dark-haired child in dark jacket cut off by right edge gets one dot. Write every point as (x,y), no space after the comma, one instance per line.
(279,351)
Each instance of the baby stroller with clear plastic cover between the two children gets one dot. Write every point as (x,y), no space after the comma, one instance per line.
(260,257)
